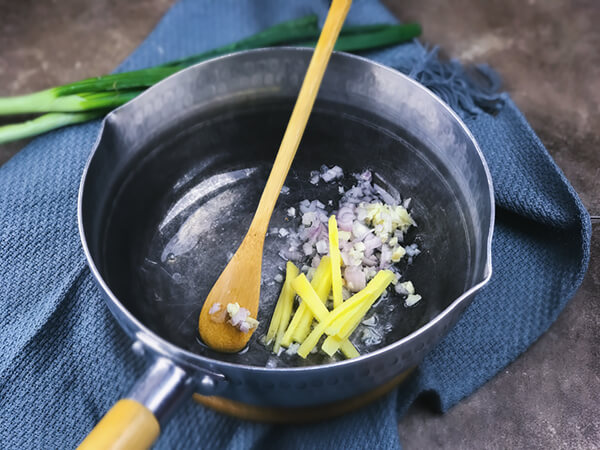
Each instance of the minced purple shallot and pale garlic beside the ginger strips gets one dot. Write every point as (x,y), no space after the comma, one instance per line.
(372,226)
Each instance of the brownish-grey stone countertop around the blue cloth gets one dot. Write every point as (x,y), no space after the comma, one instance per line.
(547,53)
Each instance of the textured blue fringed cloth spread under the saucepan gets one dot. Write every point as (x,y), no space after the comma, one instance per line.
(65,361)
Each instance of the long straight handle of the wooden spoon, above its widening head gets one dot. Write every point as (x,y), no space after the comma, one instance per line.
(306,99)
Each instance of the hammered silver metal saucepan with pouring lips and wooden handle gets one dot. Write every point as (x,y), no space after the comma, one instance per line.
(170,189)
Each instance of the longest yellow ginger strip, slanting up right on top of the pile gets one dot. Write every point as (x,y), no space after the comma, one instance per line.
(383,277)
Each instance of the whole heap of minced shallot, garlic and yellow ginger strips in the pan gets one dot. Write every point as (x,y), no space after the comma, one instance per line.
(351,256)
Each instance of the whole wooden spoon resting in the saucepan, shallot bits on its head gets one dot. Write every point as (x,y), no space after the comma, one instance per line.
(240,281)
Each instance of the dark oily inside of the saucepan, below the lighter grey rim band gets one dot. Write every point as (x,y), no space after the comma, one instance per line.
(184,206)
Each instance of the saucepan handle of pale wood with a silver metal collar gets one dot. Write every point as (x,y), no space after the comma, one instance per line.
(134,422)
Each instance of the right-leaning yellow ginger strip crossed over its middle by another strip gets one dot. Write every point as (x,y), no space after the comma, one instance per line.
(321,282)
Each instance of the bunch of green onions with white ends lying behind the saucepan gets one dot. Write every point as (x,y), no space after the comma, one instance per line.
(99,95)
